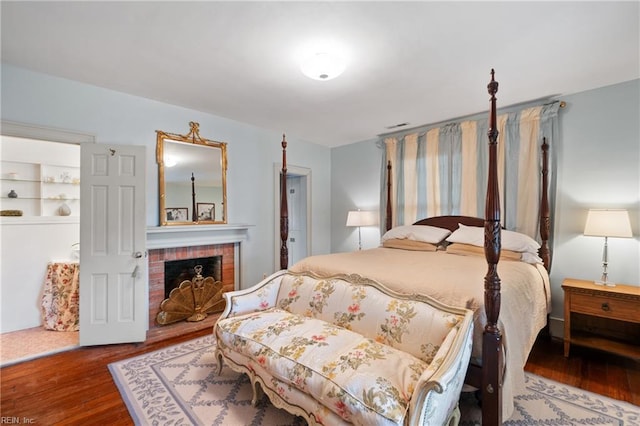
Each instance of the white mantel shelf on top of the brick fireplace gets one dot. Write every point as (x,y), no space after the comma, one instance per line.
(195,235)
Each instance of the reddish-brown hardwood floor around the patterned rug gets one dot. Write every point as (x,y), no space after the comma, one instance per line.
(75,387)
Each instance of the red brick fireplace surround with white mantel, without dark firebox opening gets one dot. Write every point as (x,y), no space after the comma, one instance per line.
(171,243)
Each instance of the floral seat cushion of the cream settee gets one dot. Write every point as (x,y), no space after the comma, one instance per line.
(359,379)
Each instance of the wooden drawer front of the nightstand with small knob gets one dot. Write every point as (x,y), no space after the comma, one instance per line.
(605,306)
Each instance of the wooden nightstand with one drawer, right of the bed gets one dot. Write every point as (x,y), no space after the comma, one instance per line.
(605,318)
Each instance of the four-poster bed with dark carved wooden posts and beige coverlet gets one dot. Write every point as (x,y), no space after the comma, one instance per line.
(486,373)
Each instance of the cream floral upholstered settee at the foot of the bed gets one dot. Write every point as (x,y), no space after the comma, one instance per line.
(347,350)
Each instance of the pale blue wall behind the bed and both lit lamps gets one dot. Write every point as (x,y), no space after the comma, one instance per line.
(598,166)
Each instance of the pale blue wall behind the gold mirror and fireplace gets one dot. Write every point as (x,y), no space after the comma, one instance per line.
(119,118)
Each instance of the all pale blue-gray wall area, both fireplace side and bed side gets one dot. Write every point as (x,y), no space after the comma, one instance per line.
(598,166)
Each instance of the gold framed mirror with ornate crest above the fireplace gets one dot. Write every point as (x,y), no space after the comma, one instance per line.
(192,178)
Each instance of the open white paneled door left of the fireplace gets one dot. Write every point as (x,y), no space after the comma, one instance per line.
(113,277)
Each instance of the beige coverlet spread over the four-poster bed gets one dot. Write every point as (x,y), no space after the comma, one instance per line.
(458,280)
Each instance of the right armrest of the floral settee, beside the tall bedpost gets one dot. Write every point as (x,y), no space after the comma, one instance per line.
(435,400)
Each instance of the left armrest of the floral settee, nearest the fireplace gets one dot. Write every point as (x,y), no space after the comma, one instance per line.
(256,298)
